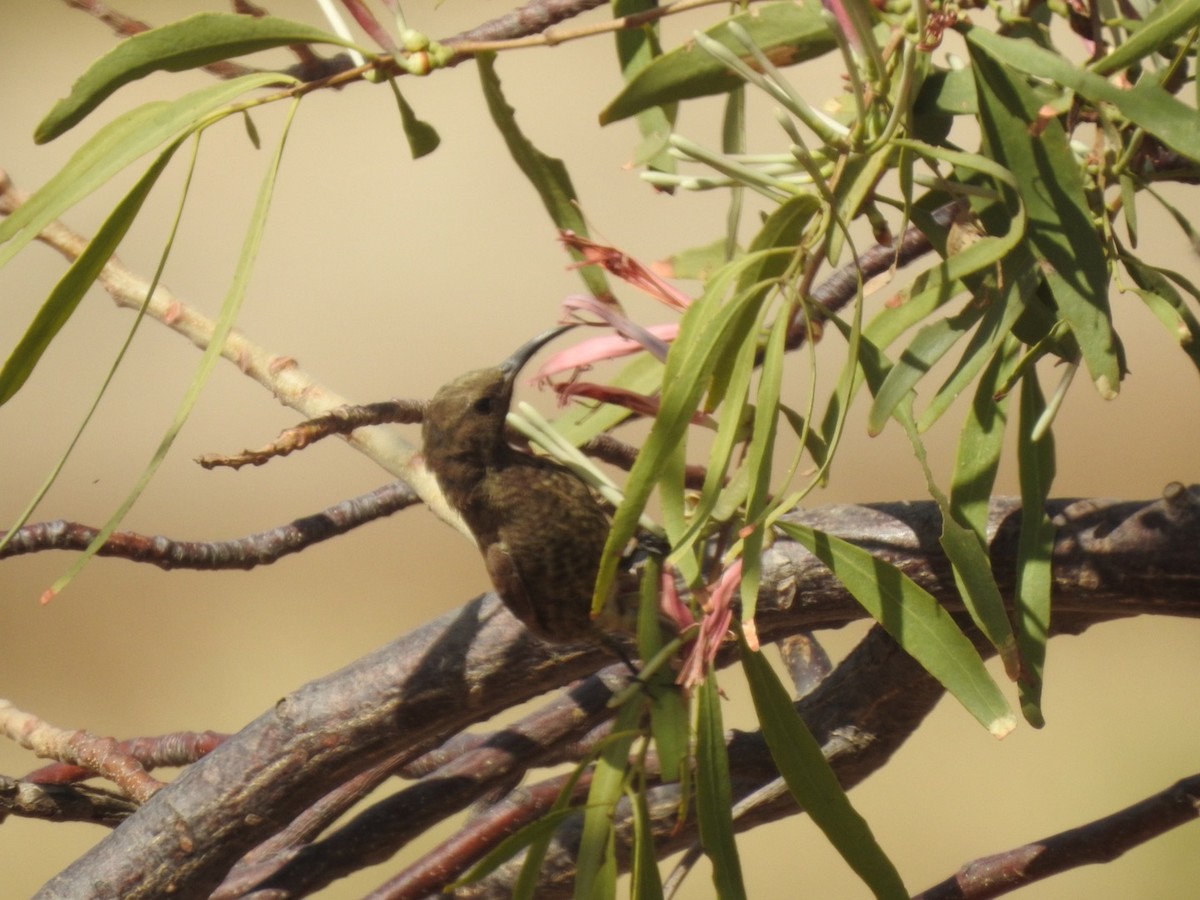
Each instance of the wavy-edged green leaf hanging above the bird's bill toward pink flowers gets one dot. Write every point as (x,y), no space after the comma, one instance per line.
(547,175)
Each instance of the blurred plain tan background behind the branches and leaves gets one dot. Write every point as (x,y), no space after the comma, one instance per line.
(386,278)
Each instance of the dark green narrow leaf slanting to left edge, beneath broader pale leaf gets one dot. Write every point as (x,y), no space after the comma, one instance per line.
(65,298)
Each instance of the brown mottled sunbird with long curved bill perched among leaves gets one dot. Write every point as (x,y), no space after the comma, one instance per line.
(541,529)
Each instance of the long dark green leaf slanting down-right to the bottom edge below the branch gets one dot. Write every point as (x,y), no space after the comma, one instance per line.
(813,783)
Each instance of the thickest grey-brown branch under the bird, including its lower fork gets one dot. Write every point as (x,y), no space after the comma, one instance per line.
(1112,560)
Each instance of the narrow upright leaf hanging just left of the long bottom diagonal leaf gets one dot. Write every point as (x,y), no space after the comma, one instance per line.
(715,801)
